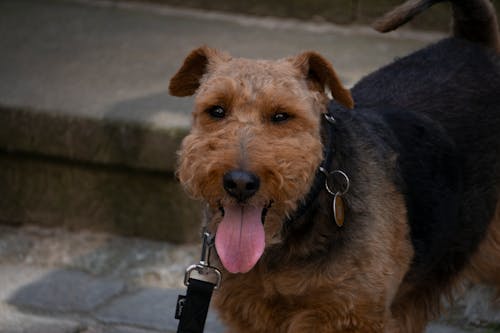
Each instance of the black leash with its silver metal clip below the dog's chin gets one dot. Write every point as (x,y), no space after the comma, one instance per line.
(192,309)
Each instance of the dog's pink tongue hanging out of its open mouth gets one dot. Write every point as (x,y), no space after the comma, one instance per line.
(240,238)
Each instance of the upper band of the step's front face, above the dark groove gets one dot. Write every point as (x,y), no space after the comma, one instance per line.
(111,142)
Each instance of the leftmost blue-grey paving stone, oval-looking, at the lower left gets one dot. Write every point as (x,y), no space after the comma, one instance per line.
(67,291)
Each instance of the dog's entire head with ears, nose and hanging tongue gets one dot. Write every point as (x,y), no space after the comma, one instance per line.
(255,143)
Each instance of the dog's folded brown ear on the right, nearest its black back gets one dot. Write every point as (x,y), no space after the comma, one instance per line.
(321,74)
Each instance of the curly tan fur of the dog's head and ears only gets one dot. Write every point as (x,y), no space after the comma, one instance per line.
(248,89)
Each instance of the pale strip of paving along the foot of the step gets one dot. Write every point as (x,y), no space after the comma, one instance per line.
(134,260)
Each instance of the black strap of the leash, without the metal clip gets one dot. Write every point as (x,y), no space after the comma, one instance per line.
(192,309)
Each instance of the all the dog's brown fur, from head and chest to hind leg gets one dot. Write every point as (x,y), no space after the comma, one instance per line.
(295,286)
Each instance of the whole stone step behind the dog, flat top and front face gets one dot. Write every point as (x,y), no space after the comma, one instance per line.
(88,133)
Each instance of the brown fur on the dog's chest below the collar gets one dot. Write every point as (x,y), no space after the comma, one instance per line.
(298,296)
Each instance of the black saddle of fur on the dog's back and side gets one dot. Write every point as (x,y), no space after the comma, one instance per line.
(439,110)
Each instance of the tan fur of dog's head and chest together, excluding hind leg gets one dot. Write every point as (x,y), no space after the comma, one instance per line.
(253,90)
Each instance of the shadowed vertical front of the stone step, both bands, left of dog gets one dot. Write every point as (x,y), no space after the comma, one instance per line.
(63,170)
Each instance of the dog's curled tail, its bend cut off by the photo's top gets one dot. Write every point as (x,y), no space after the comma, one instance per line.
(474,20)
